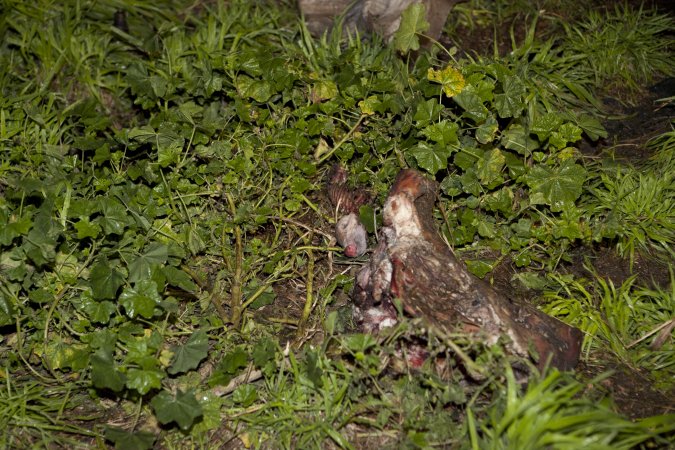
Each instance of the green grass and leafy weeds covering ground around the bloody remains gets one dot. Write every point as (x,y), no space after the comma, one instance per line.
(163,231)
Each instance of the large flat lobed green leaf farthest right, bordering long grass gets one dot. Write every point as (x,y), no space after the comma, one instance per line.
(558,187)
